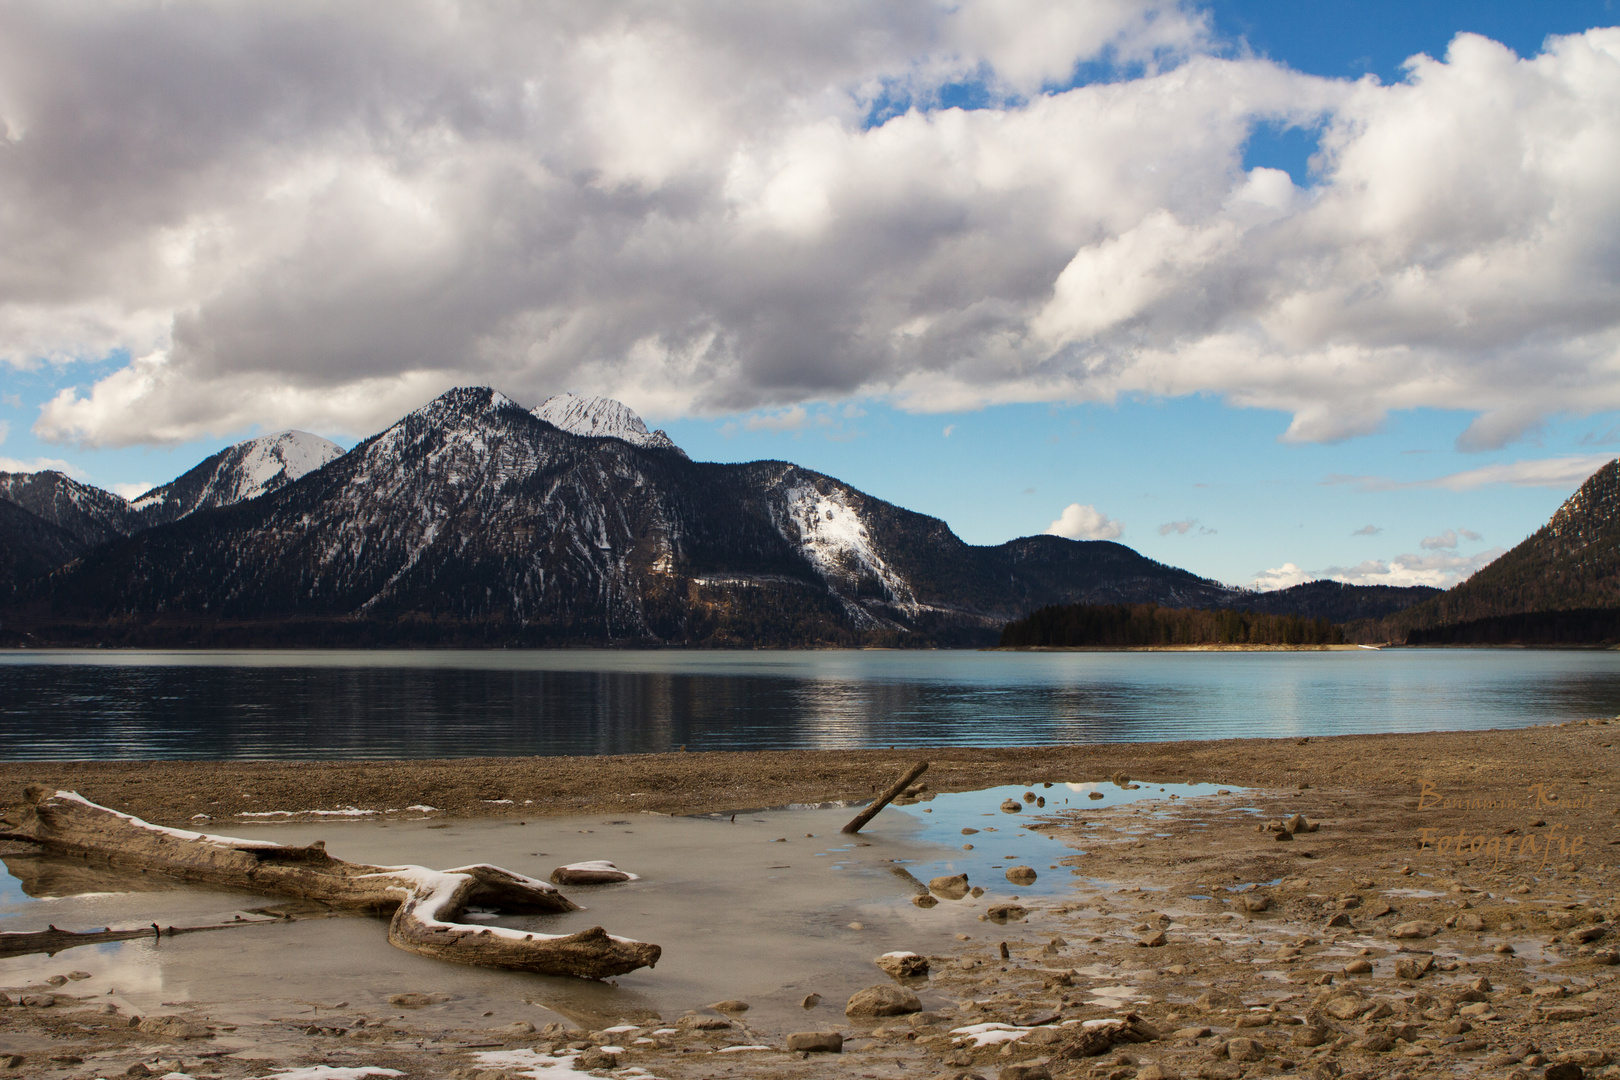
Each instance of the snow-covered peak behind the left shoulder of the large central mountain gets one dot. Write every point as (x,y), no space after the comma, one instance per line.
(237,474)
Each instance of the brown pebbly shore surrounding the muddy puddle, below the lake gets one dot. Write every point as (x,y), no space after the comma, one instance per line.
(1446,909)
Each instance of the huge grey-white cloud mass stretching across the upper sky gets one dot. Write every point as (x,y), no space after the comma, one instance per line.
(684,206)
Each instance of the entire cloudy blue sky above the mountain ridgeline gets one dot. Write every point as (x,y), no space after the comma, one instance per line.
(1264,291)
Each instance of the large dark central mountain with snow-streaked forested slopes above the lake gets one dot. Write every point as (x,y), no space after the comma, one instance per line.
(474,521)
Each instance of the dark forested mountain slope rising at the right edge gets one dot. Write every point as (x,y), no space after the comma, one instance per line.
(1571,564)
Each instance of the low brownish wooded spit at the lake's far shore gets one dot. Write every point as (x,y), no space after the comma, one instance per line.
(1133,626)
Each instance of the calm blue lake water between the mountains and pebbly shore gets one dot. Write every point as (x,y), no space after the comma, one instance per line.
(296,705)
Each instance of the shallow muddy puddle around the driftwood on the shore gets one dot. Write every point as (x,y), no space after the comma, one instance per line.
(757,908)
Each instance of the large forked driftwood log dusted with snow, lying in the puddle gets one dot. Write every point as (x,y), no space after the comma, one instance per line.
(425,903)
